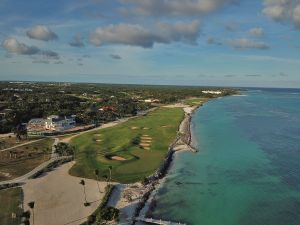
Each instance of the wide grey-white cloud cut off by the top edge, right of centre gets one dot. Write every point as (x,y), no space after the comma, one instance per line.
(174,7)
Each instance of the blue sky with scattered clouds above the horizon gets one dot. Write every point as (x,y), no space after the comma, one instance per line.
(188,42)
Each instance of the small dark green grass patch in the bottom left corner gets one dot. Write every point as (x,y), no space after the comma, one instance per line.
(10,200)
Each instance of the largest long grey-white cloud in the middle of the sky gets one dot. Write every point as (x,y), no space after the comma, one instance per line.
(137,35)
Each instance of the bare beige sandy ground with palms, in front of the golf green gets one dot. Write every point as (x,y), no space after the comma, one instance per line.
(59,197)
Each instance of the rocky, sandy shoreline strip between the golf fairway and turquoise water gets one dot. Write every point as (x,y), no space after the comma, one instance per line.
(144,201)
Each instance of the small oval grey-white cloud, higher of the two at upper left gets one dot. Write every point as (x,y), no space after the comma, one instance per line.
(41,32)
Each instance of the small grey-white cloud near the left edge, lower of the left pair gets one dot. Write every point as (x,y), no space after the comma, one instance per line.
(13,46)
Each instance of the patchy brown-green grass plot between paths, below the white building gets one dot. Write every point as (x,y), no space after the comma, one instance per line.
(26,159)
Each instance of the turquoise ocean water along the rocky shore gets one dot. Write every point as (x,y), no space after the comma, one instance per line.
(247,171)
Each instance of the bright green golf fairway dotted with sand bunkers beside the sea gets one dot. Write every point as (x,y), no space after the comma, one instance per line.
(140,143)
